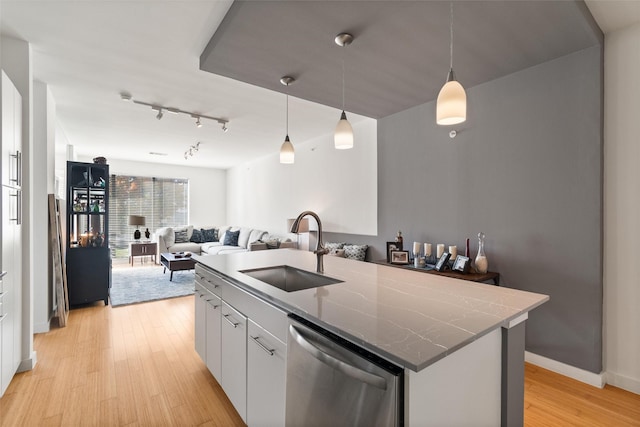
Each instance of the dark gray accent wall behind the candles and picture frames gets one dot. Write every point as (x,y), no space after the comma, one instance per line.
(526,169)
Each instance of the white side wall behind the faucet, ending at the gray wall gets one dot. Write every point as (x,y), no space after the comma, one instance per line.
(339,185)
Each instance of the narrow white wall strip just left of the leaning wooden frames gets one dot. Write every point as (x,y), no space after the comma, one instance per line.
(43,183)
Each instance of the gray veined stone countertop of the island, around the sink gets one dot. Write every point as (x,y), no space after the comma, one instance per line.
(410,318)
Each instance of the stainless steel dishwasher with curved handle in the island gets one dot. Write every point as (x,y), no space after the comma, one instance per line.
(332,382)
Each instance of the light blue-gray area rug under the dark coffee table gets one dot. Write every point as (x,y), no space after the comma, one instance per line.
(131,285)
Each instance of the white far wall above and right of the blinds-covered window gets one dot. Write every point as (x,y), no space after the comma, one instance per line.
(207,187)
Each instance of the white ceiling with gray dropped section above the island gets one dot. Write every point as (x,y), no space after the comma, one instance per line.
(90,51)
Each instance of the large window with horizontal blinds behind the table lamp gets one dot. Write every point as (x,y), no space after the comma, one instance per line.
(163,202)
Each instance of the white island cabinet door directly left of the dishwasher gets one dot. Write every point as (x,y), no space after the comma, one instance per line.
(266,371)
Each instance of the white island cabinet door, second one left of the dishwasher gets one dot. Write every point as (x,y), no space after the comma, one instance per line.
(234,358)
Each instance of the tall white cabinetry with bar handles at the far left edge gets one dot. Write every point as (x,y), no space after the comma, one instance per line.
(11,233)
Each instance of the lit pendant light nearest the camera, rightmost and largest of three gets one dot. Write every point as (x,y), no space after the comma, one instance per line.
(451,106)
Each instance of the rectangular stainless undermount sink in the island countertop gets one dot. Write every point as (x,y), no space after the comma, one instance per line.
(289,278)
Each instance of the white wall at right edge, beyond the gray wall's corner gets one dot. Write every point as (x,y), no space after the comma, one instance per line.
(621,207)
